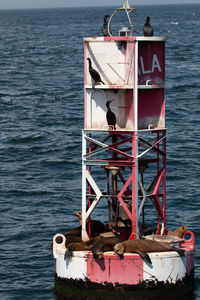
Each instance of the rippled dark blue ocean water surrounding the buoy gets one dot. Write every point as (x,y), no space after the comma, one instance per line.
(41,55)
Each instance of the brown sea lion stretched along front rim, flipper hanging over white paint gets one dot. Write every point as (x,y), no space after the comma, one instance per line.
(141,247)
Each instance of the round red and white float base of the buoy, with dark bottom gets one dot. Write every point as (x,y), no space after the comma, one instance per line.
(81,276)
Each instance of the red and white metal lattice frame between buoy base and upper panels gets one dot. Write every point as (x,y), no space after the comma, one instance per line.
(129,151)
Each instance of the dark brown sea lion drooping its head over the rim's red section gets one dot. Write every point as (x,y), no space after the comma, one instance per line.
(103,245)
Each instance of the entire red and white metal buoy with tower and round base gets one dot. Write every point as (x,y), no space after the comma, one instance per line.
(131,158)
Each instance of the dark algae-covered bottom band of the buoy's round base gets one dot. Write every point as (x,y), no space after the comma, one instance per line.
(82,290)
